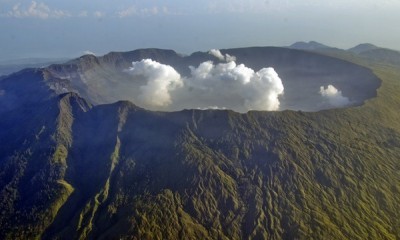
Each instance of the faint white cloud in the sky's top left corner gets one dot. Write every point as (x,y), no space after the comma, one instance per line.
(36,10)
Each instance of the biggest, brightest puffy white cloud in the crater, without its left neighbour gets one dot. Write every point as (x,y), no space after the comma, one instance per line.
(236,87)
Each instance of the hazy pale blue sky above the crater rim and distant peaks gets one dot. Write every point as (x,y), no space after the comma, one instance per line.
(68,28)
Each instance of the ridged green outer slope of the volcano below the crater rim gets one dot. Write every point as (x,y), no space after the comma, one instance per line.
(73,171)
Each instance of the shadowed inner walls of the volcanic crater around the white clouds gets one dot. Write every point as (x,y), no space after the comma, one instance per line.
(106,81)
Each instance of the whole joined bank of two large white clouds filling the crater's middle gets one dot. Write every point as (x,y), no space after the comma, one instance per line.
(225,85)
